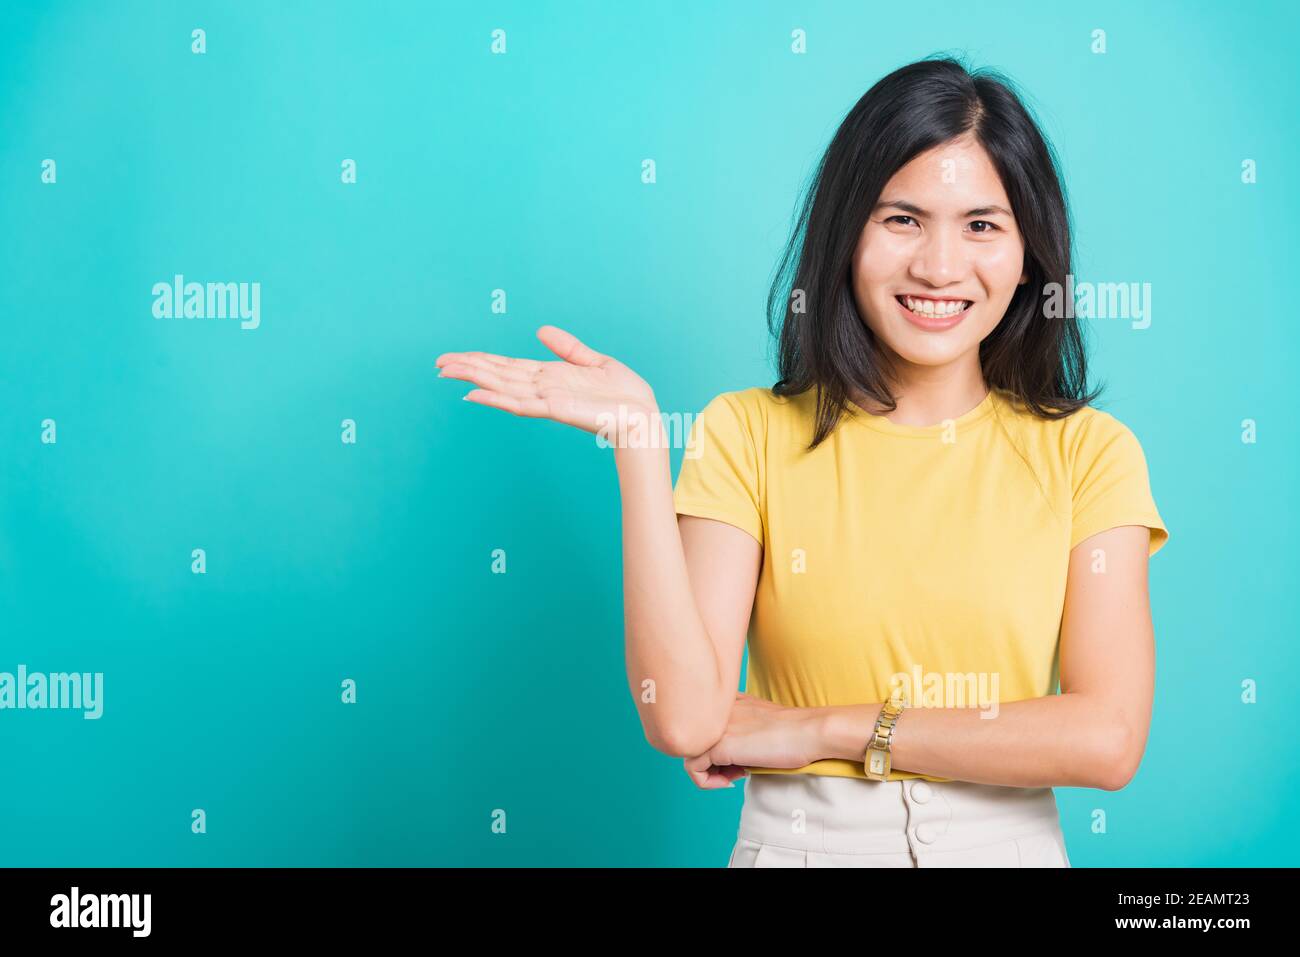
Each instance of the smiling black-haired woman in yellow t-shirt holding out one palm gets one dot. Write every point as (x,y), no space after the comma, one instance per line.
(925,504)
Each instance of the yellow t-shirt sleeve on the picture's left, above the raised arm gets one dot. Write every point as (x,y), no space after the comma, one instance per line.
(720,477)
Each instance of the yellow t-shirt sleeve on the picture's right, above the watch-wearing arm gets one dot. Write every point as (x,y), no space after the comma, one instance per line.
(1111,483)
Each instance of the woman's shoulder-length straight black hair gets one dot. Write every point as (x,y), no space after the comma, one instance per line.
(822,341)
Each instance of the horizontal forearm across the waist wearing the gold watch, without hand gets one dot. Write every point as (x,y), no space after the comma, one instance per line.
(1060,741)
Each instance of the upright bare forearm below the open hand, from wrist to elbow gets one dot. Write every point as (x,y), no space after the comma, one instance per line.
(673,665)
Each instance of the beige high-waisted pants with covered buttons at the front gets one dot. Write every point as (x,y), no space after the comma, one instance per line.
(818,821)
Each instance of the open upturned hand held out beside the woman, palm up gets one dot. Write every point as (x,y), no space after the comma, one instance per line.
(580,391)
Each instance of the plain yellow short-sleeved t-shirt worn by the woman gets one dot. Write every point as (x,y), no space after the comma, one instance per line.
(939,553)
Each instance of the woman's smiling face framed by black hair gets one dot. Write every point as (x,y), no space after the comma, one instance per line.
(943,241)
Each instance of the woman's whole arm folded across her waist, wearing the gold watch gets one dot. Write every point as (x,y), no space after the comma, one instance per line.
(1091,735)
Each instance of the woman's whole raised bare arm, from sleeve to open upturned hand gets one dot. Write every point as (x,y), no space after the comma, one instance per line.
(688,584)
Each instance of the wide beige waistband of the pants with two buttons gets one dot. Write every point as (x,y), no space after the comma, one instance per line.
(853,816)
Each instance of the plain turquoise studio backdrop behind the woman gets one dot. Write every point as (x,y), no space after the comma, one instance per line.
(131,443)
